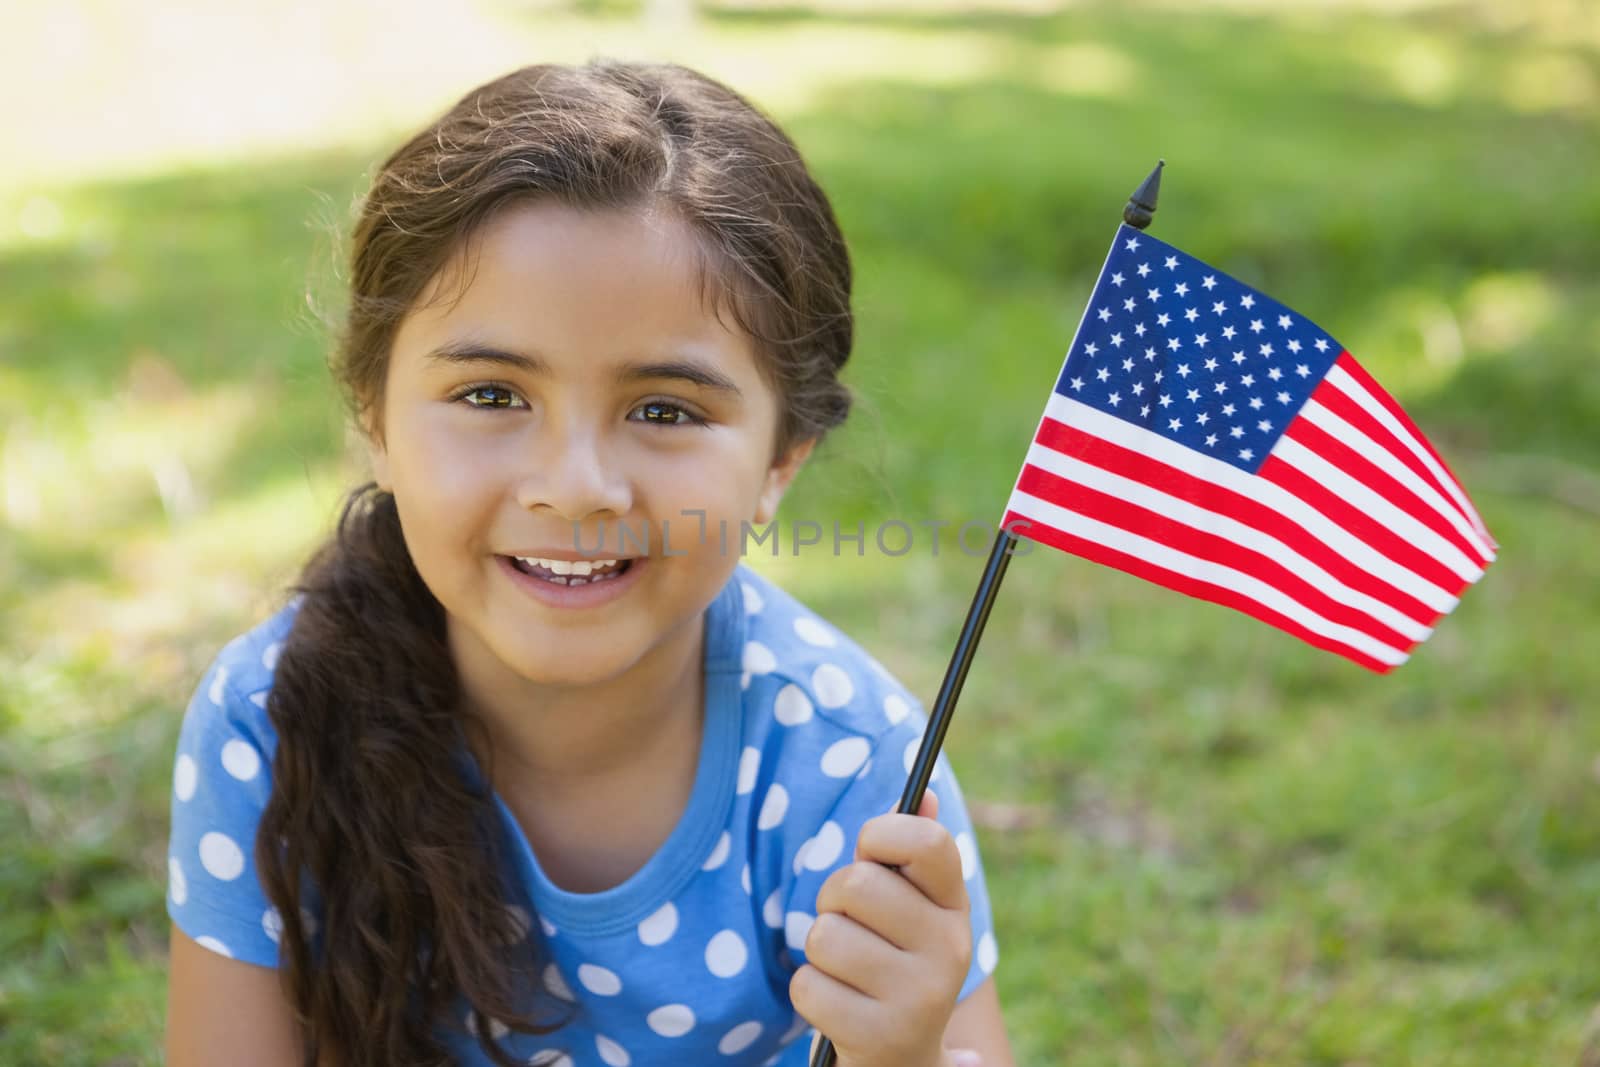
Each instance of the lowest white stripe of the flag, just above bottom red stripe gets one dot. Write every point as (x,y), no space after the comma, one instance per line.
(1202,570)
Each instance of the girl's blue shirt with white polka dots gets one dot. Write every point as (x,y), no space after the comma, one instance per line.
(689,961)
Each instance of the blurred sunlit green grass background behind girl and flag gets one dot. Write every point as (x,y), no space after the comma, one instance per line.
(1207,842)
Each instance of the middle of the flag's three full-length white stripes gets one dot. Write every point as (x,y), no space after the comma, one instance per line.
(1228,529)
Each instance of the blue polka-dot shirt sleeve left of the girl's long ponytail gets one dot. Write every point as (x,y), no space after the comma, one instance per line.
(222,783)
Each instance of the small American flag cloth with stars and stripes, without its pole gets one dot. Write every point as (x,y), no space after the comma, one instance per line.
(1209,439)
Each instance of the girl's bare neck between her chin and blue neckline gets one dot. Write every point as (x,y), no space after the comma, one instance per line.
(562,741)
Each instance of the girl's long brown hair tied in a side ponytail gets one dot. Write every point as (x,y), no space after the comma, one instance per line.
(369,807)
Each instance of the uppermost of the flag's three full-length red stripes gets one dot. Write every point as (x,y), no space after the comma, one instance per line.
(1244,510)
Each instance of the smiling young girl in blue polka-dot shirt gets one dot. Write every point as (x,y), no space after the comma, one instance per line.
(532,770)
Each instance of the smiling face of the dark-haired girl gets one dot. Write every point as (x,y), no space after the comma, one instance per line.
(577,394)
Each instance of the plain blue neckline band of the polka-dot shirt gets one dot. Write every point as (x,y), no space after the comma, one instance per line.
(705,817)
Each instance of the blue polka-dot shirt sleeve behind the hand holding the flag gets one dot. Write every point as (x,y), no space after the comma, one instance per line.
(874,793)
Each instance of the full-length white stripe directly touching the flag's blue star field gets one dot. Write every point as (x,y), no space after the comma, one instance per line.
(1260,490)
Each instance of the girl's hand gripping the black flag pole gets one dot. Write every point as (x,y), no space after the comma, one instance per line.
(889,951)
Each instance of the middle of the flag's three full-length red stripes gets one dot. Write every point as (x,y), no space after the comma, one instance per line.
(1202,545)
